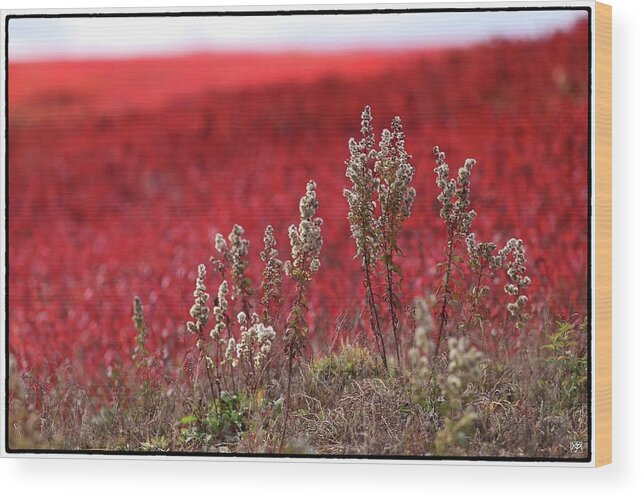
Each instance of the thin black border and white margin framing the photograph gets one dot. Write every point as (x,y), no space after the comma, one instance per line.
(307,12)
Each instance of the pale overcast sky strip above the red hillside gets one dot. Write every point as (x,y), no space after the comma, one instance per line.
(46,38)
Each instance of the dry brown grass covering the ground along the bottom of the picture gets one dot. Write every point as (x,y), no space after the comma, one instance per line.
(343,403)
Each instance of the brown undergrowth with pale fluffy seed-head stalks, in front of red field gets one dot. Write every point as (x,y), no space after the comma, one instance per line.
(251,383)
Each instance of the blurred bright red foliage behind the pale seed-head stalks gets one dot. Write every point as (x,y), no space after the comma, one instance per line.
(121,172)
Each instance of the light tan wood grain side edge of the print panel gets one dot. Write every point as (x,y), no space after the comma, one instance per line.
(603,319)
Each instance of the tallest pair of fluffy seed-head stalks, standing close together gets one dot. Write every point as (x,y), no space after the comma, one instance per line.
(379,200)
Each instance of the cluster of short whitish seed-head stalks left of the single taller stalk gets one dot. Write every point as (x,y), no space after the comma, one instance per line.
(240,347)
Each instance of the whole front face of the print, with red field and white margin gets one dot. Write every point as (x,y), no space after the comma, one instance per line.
(332,232)
